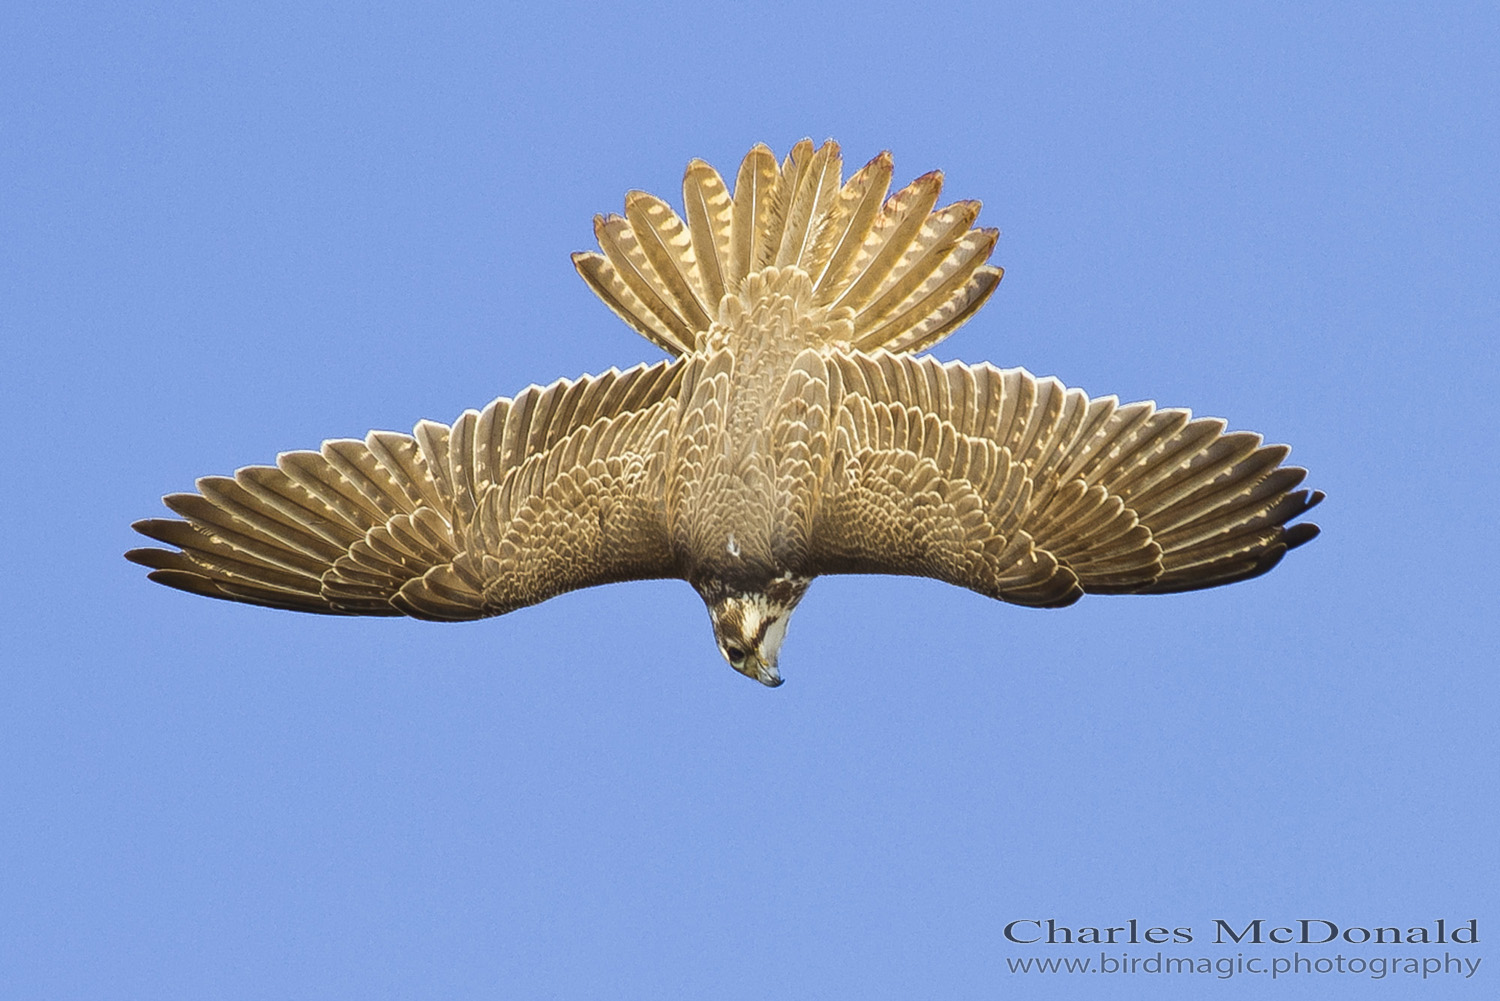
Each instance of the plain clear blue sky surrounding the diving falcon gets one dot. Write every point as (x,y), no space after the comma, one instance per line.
(229,232)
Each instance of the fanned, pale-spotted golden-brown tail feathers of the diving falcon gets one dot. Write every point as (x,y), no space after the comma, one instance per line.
(908,274)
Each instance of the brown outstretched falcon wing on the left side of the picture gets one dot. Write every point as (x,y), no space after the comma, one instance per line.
(556,490)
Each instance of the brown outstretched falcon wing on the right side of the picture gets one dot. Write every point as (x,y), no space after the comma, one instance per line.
(1036,494)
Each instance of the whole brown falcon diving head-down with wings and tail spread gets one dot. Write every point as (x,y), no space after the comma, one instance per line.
(796,431)
